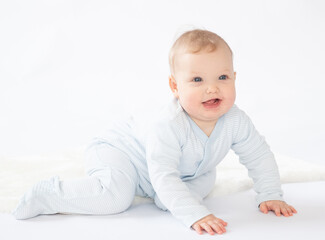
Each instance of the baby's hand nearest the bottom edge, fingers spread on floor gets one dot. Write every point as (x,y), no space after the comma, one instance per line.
(211,224)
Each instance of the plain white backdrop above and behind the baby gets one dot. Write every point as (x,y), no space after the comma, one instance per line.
(67,68)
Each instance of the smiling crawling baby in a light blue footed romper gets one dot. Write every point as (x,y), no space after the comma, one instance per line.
(171,157)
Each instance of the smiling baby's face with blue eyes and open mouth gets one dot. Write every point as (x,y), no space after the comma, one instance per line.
(204,83)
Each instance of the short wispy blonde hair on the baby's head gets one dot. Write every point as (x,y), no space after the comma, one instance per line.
(194,41)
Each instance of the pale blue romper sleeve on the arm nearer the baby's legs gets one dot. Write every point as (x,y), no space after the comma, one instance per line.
(163,152)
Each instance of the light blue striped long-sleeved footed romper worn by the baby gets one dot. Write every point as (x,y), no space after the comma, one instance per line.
(164,156)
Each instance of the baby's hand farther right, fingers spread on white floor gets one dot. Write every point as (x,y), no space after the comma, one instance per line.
(278,207)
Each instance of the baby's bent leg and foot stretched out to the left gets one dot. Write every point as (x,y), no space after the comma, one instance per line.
(109,188)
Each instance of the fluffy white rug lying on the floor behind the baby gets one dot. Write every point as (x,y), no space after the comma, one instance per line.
(18,174)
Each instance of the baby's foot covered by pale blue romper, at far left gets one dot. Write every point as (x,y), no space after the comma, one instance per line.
(38,199)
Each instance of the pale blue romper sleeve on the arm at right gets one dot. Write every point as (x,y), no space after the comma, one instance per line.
(255,154)
